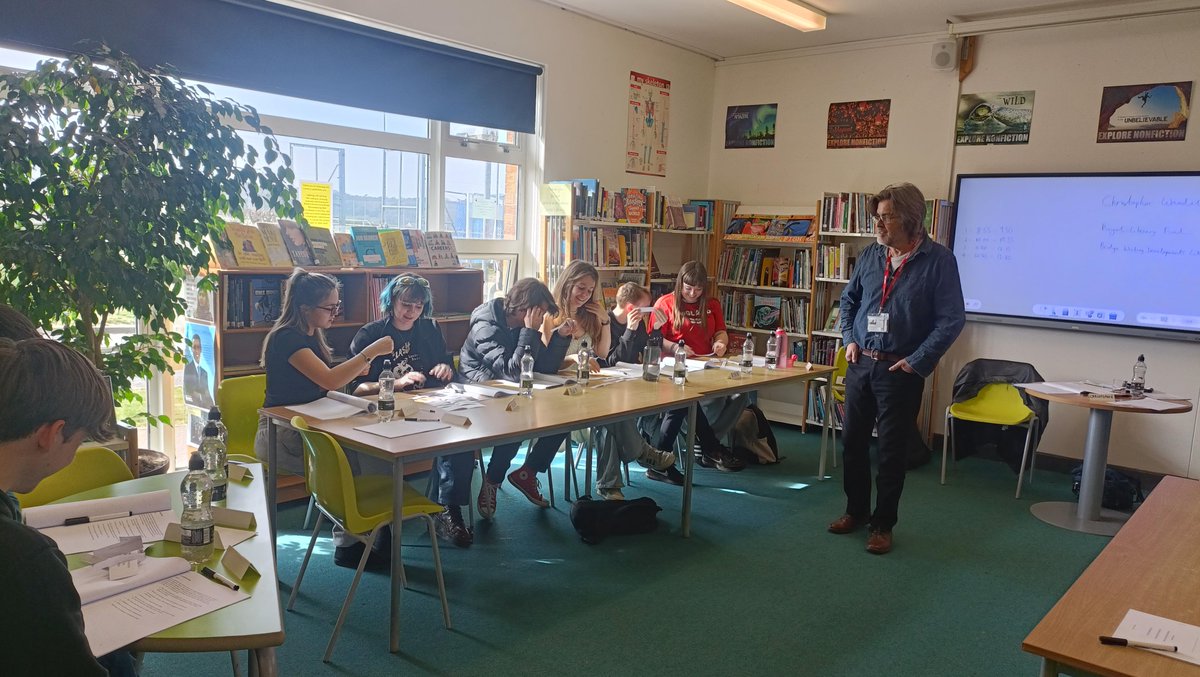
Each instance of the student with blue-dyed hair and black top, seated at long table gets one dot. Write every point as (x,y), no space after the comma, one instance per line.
(419,360)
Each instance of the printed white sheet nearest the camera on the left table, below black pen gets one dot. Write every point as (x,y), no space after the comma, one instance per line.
(117,621)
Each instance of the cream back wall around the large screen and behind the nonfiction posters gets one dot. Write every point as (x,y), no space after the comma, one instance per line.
(1067,68)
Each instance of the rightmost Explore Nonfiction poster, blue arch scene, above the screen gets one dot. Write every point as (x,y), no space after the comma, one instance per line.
(1144,113)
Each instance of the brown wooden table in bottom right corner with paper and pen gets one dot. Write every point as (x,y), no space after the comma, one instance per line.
(1151,566)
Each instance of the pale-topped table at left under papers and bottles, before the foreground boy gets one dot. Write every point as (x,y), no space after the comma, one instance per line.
(256,624)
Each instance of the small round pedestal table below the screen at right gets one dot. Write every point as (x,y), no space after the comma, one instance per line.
(1087,516)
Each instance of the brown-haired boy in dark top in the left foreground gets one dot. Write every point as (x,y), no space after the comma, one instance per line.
(40,430)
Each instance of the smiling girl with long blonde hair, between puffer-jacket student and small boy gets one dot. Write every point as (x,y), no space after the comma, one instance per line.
(575,295)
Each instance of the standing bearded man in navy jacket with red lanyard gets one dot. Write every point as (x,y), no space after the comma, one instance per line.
(901,313)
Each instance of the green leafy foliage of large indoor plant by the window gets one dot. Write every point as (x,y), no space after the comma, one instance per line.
(112,176)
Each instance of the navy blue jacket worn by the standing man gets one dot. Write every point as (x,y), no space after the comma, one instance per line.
(926,307)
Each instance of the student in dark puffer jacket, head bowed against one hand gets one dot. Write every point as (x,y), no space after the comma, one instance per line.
(500,333)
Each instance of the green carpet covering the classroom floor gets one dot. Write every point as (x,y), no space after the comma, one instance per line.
(760,588)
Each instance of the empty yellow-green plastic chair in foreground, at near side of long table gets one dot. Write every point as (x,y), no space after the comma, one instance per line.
(361,506)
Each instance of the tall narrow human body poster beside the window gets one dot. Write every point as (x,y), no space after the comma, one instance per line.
(650,111)
